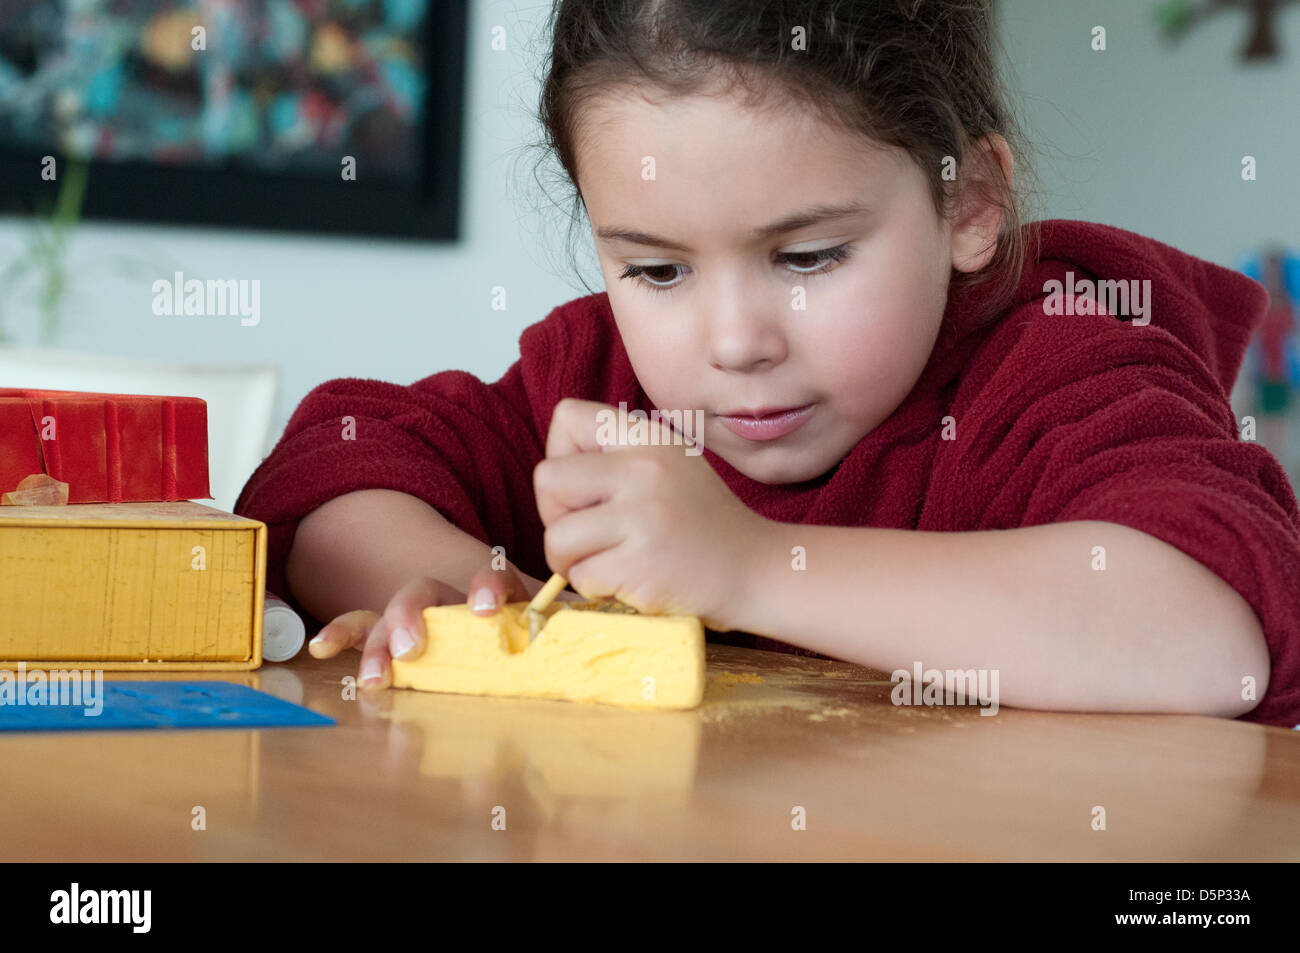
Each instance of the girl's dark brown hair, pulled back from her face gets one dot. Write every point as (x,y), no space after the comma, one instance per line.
(917,75)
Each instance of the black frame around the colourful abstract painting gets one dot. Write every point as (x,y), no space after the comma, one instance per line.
(229,197)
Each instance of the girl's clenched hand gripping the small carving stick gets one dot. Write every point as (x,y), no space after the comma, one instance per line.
(649,526)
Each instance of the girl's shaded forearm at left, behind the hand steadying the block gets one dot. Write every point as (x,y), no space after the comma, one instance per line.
(357,551)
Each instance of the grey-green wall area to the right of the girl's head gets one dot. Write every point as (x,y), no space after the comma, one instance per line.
(1151,137)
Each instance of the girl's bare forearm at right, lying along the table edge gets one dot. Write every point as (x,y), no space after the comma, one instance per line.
(1154,631)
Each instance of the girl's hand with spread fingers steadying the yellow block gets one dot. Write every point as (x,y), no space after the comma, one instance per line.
(400,631)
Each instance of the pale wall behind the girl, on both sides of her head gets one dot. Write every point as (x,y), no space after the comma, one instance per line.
(1138,137)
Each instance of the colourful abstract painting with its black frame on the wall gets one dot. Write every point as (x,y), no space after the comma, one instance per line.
(336,116)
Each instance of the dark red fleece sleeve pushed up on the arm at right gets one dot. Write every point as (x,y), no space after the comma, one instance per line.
(1094,419)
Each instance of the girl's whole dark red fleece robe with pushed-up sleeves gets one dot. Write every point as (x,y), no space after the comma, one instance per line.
(1059,418)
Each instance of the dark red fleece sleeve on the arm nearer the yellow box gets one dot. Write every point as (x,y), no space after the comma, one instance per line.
(463,447)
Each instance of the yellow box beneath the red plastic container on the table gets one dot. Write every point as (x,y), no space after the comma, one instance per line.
(131,586)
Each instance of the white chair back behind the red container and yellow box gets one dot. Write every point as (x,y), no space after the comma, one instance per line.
(240,398)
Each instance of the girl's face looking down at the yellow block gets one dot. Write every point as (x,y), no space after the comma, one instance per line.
(765,259)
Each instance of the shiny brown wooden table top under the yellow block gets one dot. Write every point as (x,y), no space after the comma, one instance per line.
(417,777)
